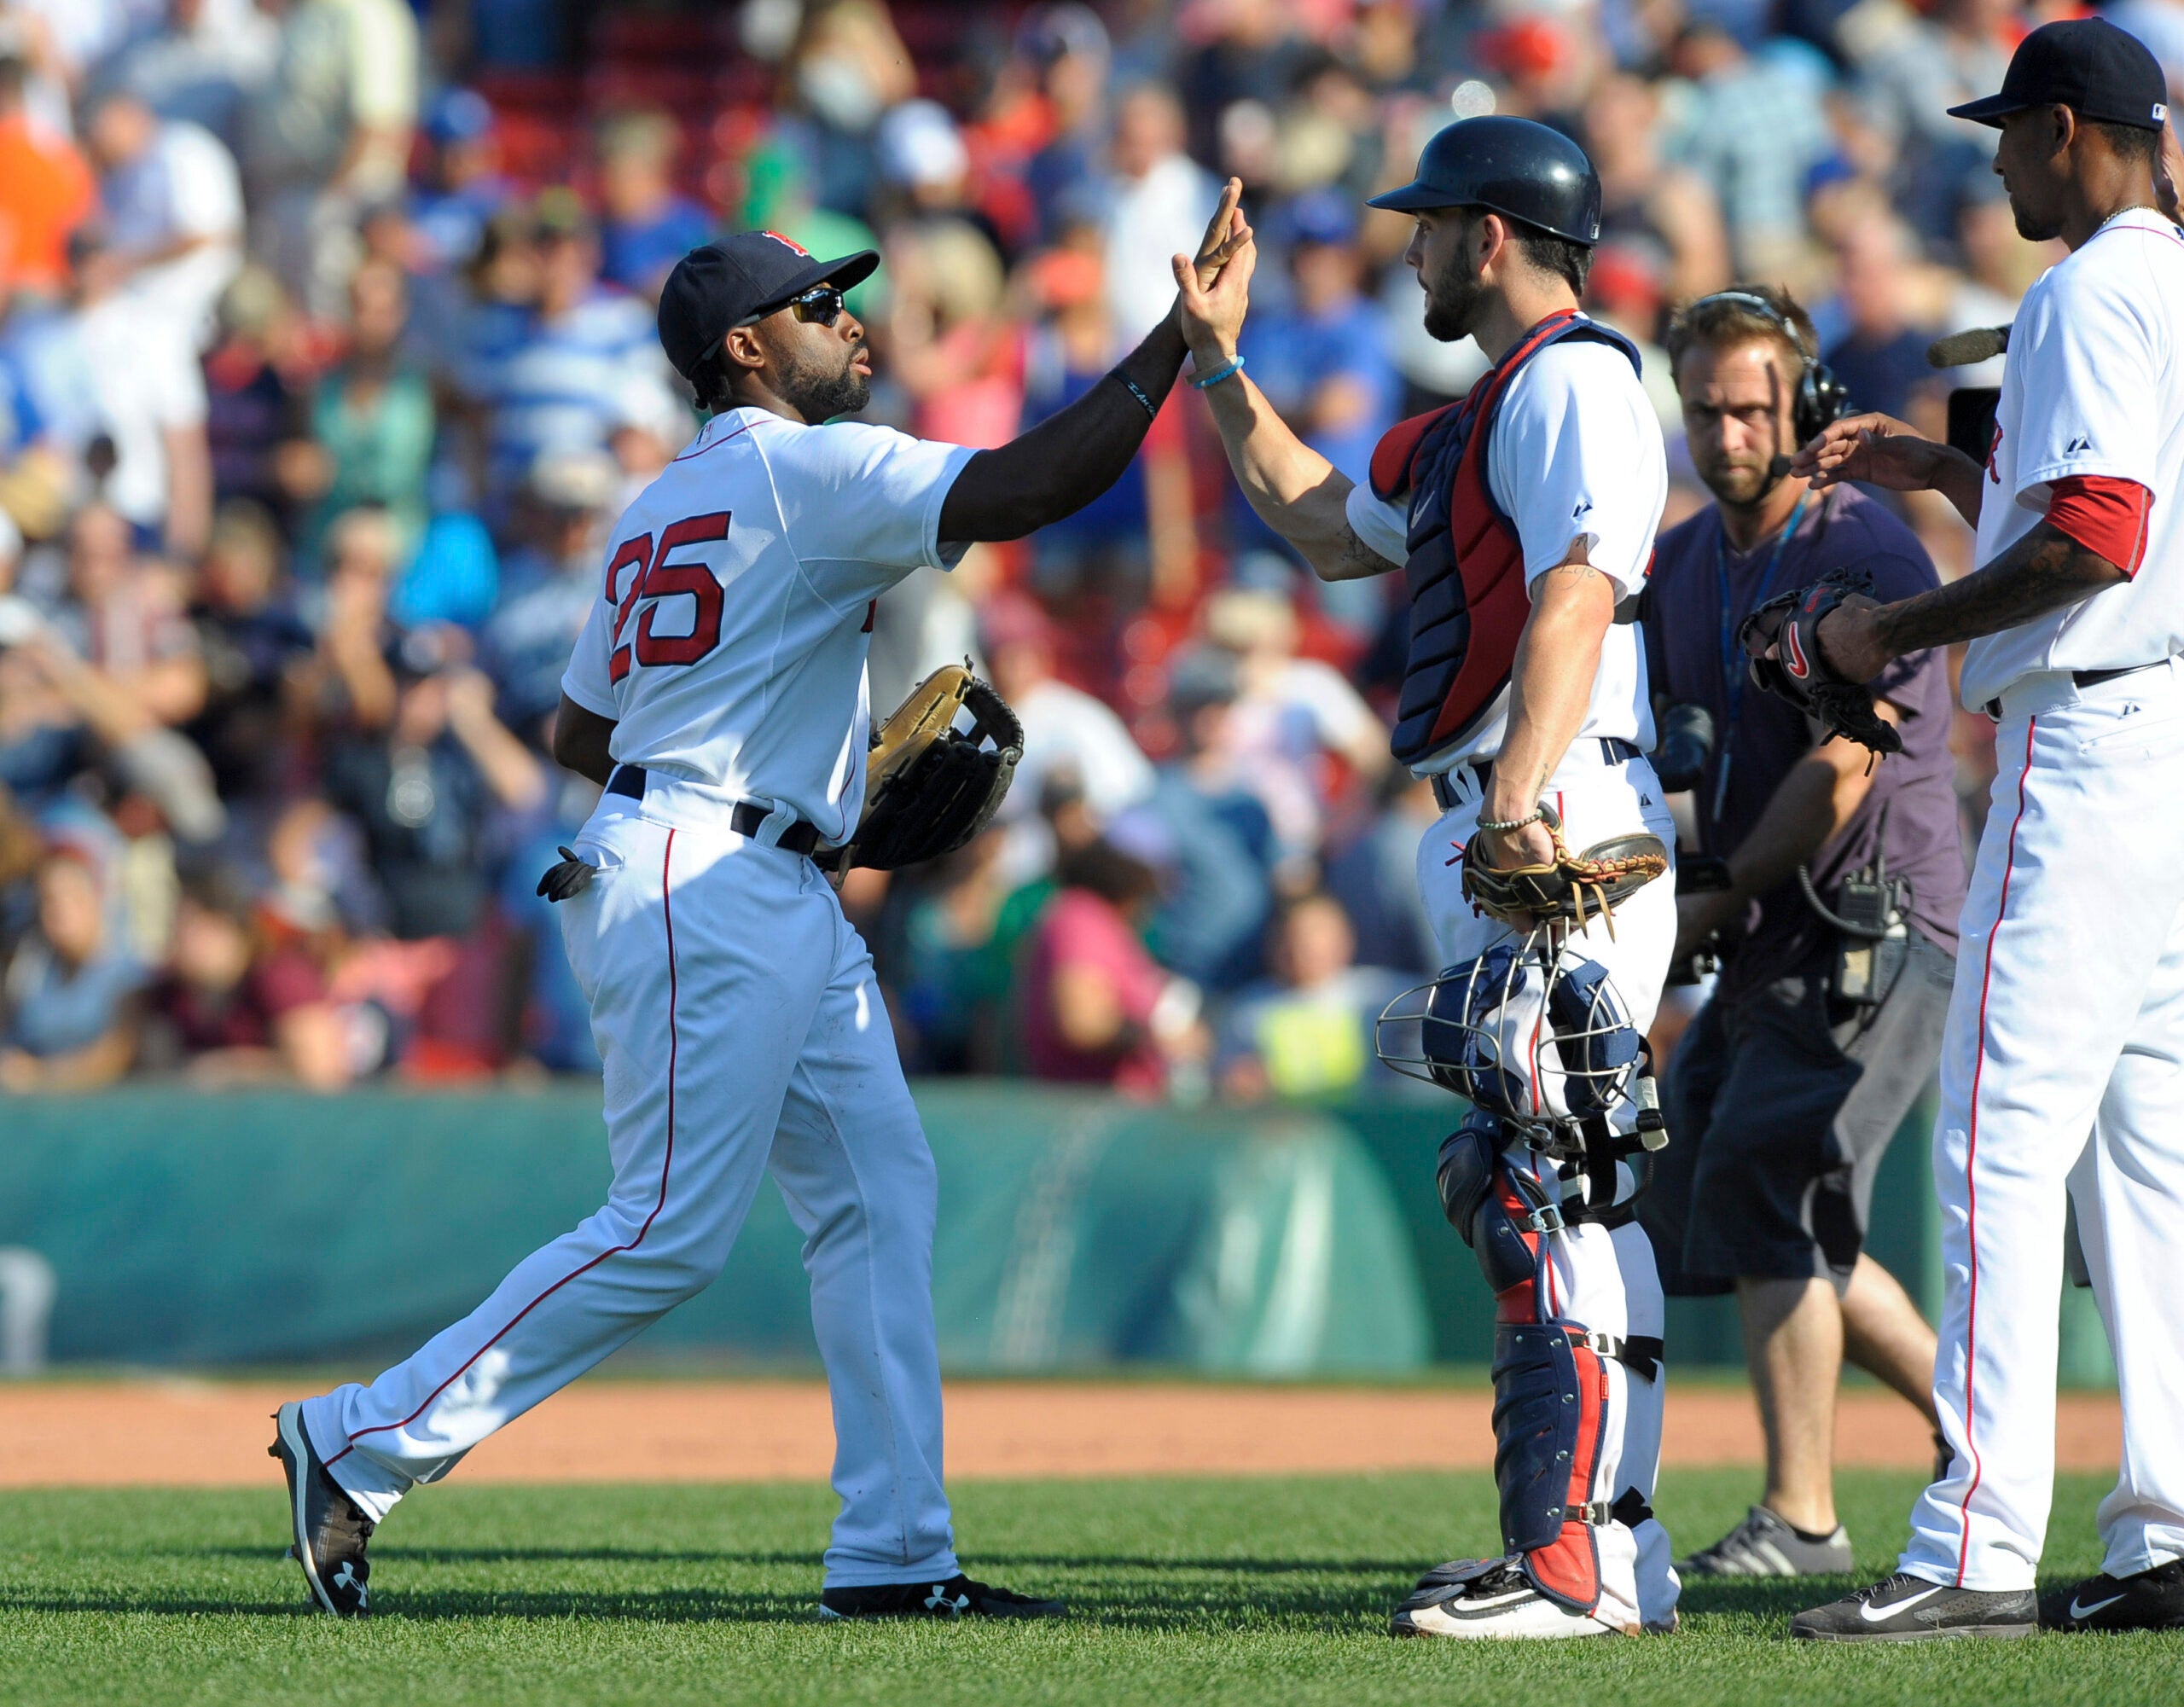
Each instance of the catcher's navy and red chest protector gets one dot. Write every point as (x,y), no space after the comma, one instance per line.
(1467,569)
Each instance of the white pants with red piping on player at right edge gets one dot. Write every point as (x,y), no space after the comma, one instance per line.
(2067,1023)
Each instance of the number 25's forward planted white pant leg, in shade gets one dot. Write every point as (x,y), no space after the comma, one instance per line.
(857,1175)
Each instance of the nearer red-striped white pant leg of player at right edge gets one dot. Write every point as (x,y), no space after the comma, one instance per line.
(2069,911)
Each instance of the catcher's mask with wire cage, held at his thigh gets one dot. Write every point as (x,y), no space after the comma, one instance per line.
(1530,1031)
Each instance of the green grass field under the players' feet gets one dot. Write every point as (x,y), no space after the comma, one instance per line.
(1185,1595)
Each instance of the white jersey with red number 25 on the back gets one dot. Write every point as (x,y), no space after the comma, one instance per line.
(731,630)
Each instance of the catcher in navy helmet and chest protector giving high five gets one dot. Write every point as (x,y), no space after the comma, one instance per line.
(1523,523)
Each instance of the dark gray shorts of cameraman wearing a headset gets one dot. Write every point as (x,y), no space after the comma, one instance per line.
(1779,1117)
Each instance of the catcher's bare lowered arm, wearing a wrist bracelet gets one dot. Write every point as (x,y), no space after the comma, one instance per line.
(1550,691)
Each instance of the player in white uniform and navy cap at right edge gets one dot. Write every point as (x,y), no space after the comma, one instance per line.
(2063,1062)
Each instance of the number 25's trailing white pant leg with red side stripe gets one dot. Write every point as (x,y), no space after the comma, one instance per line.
(704,959)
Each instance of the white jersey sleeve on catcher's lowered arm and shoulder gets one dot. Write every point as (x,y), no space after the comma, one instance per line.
(1578,455)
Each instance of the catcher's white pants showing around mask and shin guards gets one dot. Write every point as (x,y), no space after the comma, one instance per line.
(1600,1278)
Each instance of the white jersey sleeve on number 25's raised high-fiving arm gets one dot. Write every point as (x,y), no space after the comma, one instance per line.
(862,505)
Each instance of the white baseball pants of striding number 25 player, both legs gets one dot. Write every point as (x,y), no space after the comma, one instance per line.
(741,1034)
